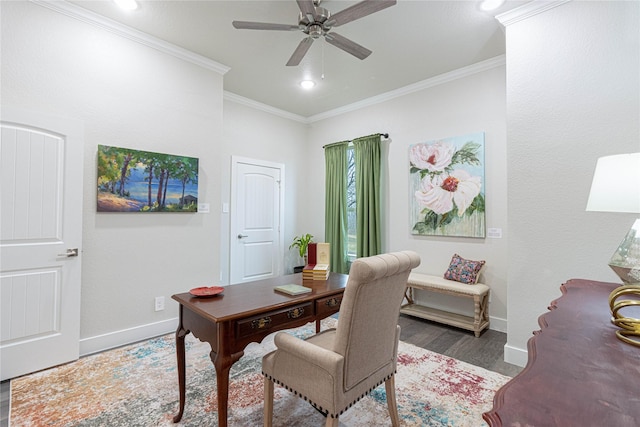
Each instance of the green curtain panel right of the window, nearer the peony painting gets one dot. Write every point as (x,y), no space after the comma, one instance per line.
(367,156)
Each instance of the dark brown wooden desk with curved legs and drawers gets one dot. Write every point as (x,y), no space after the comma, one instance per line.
(247,313)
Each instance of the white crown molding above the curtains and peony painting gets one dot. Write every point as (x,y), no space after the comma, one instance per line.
(416,87)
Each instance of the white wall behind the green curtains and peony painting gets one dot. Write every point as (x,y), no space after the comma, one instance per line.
(474,103)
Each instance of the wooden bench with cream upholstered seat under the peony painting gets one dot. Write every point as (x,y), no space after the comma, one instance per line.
(479,292)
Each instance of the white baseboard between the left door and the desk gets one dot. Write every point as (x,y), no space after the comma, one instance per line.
(115,339)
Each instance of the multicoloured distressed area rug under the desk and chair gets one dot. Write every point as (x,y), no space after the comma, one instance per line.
(137,385)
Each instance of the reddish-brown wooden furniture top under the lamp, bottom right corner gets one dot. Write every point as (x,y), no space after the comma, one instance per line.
(578,373)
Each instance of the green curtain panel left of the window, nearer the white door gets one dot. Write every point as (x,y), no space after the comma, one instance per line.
(335,213)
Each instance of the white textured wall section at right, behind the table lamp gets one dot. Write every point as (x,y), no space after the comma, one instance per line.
(573,76)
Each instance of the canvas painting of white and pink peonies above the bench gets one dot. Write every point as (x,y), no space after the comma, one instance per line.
(447,192)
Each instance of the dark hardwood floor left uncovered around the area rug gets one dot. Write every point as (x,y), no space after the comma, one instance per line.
(485,351)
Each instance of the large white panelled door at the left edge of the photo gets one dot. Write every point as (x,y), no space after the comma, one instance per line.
(40,241)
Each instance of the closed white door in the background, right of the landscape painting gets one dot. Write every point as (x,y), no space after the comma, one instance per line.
(256,220)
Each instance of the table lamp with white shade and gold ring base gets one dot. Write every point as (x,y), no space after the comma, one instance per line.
(616,188)
